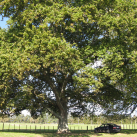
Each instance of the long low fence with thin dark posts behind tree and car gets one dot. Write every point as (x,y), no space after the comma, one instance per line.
(53,127)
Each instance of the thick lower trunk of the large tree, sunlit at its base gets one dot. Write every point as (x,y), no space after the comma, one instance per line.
(63,124)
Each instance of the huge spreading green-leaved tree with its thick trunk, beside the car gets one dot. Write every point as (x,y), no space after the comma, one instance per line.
(49,50)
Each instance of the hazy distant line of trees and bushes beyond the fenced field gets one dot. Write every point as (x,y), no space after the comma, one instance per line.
(48,119)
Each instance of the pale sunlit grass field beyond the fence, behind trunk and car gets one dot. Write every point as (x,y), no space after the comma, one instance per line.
(29,127)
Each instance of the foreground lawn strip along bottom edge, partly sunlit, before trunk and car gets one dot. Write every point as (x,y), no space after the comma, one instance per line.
(125,133)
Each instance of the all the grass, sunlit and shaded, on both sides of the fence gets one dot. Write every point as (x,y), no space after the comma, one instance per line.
(49,130)
